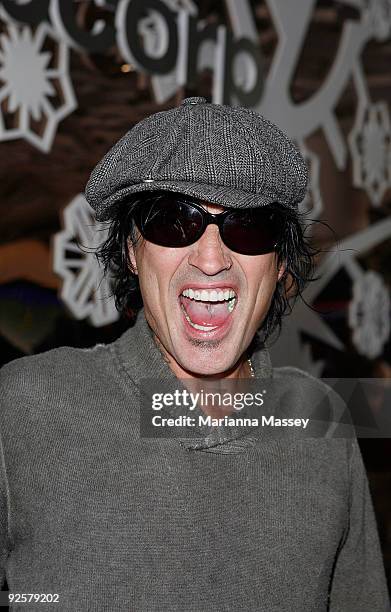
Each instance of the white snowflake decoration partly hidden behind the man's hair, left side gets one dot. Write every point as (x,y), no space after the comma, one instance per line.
(86,291)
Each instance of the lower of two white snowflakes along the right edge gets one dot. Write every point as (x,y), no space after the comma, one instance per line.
(369,314)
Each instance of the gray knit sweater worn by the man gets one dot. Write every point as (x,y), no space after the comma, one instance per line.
(112,521)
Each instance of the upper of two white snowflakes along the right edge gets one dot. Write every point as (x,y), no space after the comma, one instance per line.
(371,151)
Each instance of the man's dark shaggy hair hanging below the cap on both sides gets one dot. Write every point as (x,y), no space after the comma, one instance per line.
(294,252)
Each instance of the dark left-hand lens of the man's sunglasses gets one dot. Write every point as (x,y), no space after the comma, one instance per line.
(168,222)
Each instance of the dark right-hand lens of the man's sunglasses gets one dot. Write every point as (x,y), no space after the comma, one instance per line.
(252,231)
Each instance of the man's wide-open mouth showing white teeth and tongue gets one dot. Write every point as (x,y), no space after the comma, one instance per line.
(207,310)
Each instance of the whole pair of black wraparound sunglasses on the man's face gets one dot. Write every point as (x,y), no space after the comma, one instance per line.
(175,220)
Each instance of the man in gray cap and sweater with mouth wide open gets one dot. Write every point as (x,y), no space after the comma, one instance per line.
(202,203)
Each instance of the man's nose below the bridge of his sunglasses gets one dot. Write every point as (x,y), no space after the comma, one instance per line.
(209,254)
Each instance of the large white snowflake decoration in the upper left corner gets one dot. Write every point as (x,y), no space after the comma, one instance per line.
(30,82)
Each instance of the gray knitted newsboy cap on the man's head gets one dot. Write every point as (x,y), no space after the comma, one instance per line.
(221,154)
